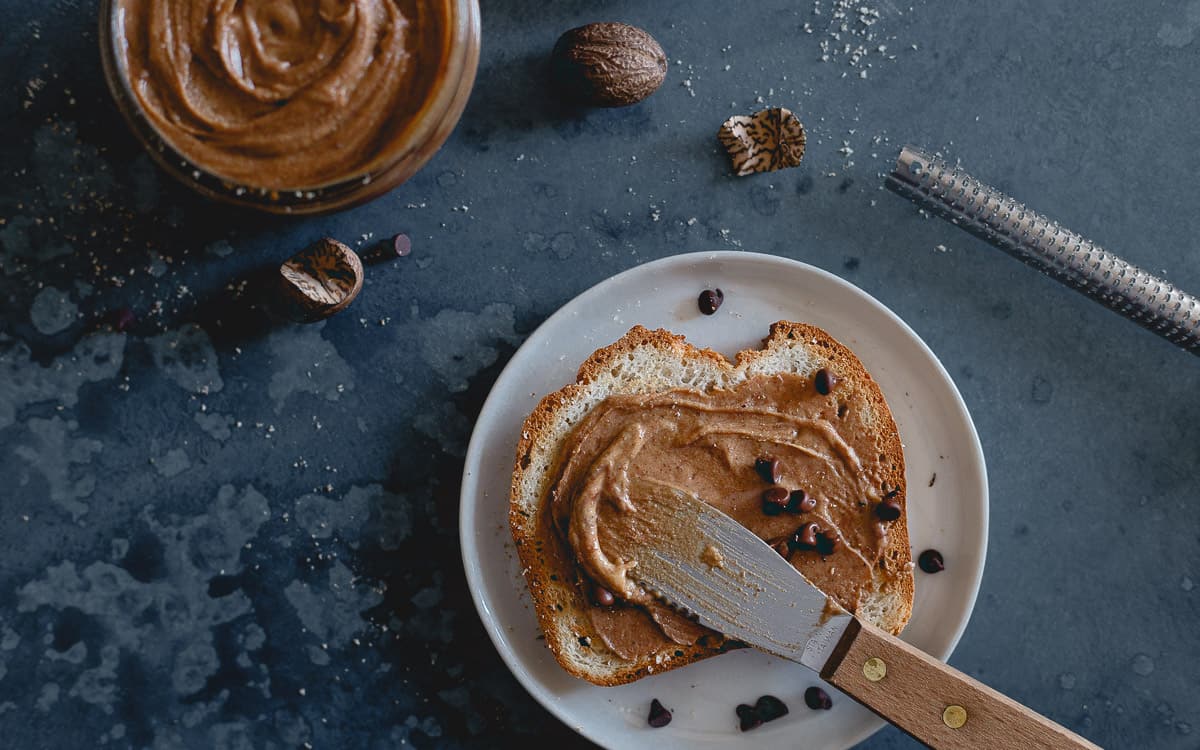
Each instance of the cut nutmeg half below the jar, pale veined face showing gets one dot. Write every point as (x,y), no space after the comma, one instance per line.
(317,283)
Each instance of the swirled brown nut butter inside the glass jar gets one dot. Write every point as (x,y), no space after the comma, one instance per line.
(283,94)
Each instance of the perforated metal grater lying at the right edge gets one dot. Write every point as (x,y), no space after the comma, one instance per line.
(985,212)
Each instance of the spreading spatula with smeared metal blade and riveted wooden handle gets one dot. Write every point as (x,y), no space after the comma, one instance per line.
(703,562)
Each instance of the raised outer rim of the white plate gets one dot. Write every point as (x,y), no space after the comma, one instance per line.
(476,447)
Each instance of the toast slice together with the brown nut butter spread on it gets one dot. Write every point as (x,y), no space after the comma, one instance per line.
(652,407)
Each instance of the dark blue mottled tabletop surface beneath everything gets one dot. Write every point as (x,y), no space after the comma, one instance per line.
(223,535)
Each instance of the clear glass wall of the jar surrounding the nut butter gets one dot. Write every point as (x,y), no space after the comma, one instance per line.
(407,151)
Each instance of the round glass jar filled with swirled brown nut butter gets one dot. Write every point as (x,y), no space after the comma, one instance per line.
(291,106)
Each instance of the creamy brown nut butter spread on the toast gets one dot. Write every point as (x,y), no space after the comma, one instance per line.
(709,445)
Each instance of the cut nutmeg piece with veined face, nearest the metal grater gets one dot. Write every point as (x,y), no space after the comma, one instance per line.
(764,142)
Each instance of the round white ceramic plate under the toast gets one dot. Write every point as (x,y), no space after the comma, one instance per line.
(935,428)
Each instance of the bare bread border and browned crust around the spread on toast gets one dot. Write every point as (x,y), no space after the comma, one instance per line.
(645,362)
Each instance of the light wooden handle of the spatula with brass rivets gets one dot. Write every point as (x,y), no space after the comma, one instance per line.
(935,704)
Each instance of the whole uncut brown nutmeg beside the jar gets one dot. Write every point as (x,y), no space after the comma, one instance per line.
(608,64)
